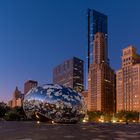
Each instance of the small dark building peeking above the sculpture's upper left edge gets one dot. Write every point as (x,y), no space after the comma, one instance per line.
(28,85)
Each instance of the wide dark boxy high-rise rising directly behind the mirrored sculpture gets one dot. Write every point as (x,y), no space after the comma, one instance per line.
(70,74)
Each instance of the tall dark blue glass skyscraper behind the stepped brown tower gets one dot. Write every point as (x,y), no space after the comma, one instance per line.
(97,22)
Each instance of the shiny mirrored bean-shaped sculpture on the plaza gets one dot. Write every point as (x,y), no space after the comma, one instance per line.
(53,102)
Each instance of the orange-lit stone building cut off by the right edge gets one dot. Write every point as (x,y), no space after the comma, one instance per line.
(128,81)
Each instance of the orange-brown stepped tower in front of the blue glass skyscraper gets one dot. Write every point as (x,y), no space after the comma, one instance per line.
(101,81)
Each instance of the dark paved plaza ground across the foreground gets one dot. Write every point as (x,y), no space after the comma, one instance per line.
(88,131)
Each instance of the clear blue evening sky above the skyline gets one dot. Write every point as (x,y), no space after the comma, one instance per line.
(37,35)
